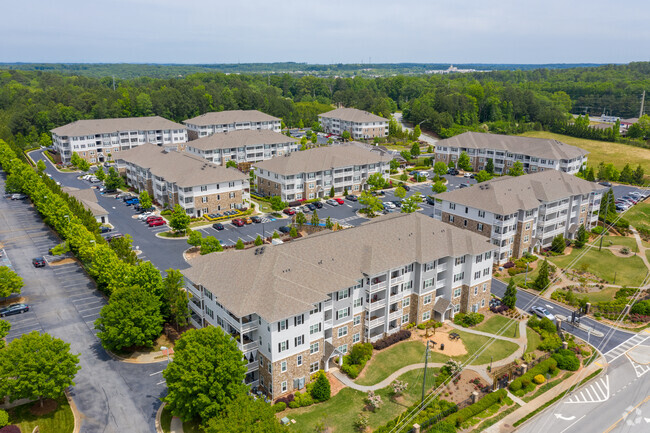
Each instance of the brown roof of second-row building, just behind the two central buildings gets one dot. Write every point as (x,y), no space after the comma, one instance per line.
(240,138)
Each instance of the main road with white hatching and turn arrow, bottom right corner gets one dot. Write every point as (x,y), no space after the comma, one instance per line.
(615,402)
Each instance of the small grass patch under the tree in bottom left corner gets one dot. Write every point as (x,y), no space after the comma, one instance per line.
(59,421)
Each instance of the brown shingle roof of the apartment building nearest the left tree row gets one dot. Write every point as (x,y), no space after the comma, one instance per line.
(181,168)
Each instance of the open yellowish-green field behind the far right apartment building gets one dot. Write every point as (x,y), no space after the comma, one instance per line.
(615,153)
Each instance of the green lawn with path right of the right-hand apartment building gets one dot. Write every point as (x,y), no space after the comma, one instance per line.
(629,271)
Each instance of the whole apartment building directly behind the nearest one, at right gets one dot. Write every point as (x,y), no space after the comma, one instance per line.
(522,214)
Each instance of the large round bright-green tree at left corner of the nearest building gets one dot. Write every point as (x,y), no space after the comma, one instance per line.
(206,374)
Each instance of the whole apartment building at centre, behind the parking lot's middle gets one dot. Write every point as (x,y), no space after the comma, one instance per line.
(312,173)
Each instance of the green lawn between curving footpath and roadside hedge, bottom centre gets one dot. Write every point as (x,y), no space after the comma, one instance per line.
(340,412)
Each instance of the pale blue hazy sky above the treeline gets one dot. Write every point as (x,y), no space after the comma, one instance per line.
(332,31)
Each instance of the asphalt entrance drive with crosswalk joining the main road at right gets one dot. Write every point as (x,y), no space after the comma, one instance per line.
(525,300)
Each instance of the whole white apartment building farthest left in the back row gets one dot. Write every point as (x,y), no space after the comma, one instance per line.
(100,140)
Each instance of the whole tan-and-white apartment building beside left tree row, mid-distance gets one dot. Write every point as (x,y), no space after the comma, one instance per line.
(170,177)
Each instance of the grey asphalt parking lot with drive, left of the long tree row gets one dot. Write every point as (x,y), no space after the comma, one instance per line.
(112,396)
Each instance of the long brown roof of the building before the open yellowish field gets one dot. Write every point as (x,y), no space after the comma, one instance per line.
(536,147)
